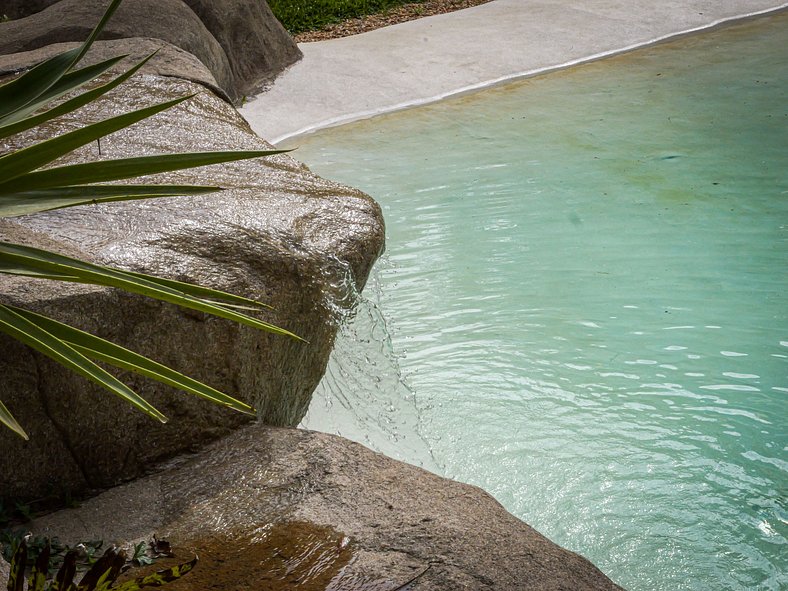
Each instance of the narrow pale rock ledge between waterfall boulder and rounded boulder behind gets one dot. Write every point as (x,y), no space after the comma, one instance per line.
(169,60)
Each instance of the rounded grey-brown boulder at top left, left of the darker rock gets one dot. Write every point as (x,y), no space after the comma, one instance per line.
(73,20)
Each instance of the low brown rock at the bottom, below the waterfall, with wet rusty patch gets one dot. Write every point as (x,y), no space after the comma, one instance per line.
(393,519)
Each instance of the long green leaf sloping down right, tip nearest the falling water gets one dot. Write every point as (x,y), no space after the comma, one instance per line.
(49,263)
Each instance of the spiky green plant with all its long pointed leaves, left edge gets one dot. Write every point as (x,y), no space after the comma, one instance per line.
(27,188)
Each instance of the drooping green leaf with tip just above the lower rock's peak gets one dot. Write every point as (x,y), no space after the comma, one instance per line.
(117,356)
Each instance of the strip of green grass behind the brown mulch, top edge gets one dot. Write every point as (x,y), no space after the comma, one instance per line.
(298,16)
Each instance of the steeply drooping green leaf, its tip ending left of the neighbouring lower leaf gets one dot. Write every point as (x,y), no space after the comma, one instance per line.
(31,335)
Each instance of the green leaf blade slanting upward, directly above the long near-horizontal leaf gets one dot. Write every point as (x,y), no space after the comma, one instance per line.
(17,163)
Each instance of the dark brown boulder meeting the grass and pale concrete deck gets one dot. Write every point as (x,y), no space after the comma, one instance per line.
(256,44)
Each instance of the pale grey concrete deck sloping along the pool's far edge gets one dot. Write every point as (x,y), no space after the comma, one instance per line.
(421,61)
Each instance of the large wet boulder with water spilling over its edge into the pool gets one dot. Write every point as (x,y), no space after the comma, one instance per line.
(279,234)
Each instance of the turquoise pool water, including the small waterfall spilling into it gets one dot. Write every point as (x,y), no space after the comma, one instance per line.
(585,293)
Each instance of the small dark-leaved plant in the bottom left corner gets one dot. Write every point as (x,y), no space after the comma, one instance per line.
(102,576)
